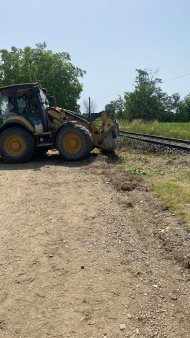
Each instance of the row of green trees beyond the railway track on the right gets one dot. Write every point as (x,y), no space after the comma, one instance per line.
(148,102)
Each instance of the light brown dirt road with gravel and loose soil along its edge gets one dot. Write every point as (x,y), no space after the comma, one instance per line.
(80,258)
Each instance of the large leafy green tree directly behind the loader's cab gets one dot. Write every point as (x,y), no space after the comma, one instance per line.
(52,70)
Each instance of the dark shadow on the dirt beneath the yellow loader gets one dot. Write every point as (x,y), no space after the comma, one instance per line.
(47,160)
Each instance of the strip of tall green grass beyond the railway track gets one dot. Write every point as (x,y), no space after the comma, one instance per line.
(175,130)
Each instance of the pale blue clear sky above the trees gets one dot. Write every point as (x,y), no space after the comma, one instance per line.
(109,39)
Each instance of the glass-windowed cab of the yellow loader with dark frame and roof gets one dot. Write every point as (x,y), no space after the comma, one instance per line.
(27,100)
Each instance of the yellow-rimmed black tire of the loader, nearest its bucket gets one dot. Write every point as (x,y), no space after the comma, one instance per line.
(74,142)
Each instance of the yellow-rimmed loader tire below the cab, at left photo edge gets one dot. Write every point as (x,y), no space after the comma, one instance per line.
(17,145)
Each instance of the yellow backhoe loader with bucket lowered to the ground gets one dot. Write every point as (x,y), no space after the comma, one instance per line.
(28,124)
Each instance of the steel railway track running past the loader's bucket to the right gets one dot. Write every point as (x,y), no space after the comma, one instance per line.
(164,141)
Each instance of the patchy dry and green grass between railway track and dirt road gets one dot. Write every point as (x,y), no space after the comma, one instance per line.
(168,174)
